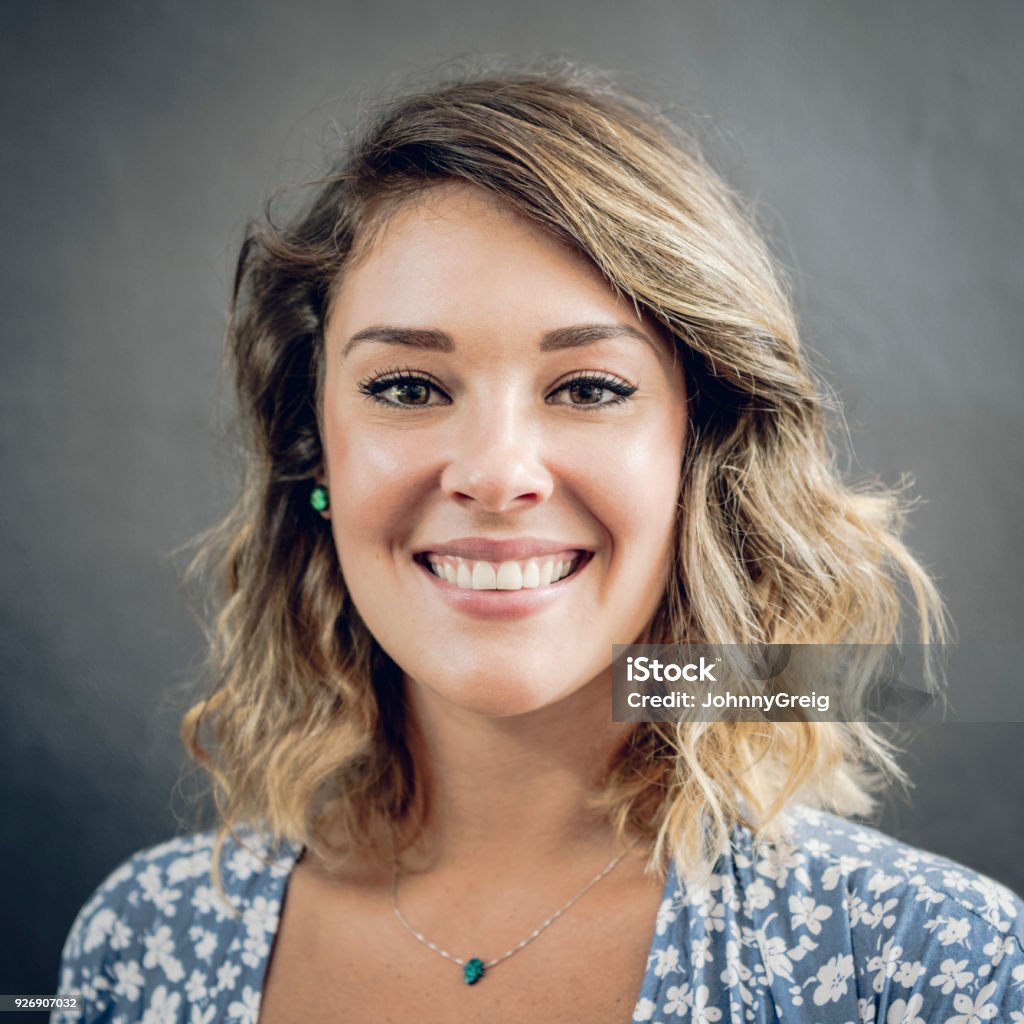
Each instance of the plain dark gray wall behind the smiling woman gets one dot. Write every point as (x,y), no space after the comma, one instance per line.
(882,140)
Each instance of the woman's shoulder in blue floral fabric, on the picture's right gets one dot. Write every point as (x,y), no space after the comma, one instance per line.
(833,920)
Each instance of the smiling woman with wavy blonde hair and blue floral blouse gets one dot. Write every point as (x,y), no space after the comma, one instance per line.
(520,385)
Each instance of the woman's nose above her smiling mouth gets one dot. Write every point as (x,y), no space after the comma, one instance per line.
(497,461)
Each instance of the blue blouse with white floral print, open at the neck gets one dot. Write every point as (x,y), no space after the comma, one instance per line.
(838,923)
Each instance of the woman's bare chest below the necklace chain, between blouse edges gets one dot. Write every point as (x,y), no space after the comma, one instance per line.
(351,960)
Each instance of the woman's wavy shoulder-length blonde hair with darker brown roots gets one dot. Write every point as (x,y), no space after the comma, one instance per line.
(306,732)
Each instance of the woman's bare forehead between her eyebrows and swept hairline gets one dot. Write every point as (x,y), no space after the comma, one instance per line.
(456,253)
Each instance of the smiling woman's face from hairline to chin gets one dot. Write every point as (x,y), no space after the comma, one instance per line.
(503,440)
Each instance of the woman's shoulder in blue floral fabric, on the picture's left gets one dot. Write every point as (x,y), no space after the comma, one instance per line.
(159,923)
